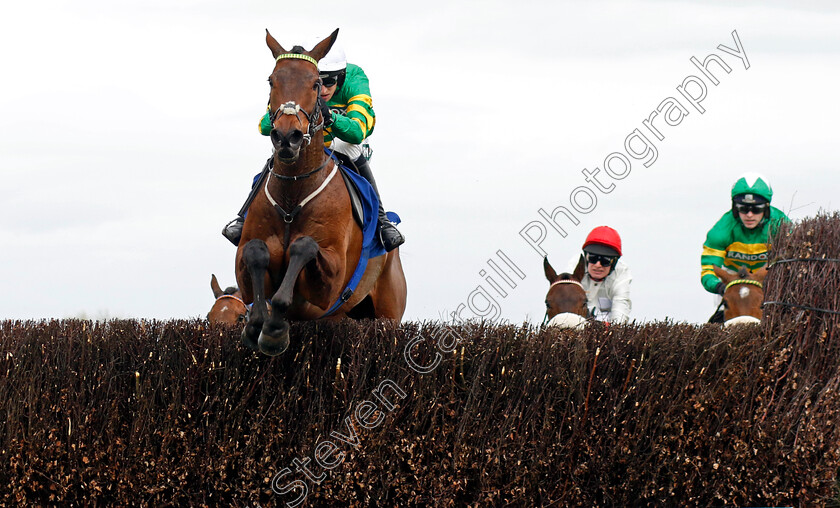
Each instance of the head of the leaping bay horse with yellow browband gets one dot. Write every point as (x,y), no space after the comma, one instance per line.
(293,101)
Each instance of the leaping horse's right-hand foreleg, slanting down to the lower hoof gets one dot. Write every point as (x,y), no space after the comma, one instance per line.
(274,338)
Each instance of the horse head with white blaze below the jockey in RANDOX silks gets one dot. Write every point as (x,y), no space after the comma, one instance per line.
(743,295)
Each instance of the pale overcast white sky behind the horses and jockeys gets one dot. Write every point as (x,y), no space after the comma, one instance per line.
(128,138)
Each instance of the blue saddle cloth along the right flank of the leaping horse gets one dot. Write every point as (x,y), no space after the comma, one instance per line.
(371,244)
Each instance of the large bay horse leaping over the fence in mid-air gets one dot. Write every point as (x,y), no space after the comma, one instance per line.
(300,244)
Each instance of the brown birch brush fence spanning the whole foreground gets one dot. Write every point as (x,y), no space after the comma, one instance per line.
(177,413)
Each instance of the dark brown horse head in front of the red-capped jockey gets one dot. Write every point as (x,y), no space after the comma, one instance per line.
(565,302)
